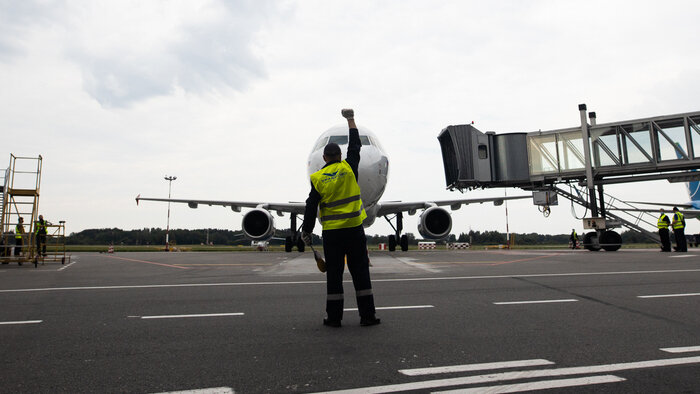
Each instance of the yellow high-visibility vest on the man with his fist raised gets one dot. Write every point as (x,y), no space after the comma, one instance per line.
(341,205)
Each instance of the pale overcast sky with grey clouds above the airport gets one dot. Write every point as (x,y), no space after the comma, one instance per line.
(229,96)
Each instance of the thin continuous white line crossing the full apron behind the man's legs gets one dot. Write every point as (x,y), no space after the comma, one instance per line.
(323,282)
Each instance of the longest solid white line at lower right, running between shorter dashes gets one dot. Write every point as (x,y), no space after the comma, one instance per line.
(517,375)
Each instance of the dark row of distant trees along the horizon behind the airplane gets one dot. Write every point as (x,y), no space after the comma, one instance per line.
(156,236)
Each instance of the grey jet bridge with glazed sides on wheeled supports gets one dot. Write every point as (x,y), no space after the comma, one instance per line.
(592,155)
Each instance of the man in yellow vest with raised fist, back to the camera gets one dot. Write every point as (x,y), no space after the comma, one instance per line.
(334,189)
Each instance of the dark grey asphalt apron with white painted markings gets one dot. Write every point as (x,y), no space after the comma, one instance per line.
(500,321)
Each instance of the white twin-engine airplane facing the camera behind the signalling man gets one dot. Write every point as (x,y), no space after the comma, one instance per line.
(435,222)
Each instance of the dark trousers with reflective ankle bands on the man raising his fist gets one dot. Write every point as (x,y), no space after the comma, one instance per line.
(337,244)
